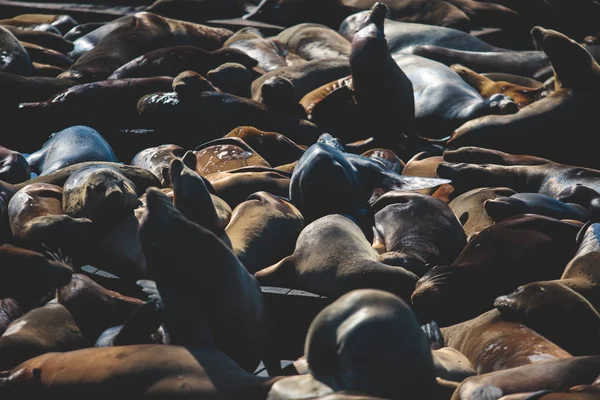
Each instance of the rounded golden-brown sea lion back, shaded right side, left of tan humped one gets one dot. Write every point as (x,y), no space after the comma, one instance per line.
(263,221)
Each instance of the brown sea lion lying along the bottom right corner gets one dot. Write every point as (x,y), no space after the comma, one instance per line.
(553,376)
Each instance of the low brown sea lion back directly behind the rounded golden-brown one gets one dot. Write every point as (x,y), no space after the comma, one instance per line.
(237,185)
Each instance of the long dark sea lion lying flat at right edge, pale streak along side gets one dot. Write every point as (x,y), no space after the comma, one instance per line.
(473,167)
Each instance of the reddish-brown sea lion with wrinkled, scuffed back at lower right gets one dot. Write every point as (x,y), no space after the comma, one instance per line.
(493,344)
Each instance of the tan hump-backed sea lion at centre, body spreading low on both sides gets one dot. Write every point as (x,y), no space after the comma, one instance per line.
(343,262)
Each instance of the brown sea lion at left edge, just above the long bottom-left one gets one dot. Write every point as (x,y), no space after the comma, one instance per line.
(46,329)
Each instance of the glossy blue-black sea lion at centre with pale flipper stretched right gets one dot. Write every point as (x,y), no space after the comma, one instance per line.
(328,181)
